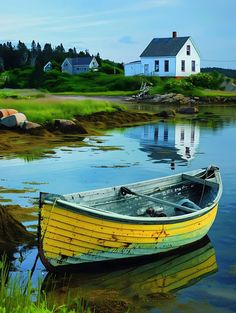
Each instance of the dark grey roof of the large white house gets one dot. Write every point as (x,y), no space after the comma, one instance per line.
(164,46)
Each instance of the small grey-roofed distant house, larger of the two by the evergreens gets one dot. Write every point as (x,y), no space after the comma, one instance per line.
(79,65)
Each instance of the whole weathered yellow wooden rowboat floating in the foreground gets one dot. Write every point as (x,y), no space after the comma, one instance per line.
(128,221)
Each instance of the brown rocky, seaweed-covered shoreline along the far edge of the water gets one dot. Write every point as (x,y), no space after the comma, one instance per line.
(178,103)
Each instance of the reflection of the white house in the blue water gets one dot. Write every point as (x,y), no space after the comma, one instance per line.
(167,142)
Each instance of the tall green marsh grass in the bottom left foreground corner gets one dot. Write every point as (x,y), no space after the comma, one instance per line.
(17,296)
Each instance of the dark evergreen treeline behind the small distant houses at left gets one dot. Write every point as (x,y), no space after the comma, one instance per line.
(19,56)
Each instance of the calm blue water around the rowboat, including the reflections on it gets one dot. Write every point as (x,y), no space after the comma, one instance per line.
(139,153)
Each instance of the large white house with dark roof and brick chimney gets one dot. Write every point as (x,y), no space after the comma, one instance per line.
(167,57)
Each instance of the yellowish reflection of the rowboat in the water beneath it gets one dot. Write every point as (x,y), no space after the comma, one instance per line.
(142,283)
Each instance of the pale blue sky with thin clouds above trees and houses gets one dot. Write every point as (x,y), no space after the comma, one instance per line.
(121,29)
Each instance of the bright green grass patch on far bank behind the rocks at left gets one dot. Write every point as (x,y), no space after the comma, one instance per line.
(46,110)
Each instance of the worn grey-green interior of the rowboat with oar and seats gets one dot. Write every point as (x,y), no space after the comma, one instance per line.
(177,195)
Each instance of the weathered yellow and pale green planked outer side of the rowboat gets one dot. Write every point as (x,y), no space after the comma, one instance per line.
(70,238)
